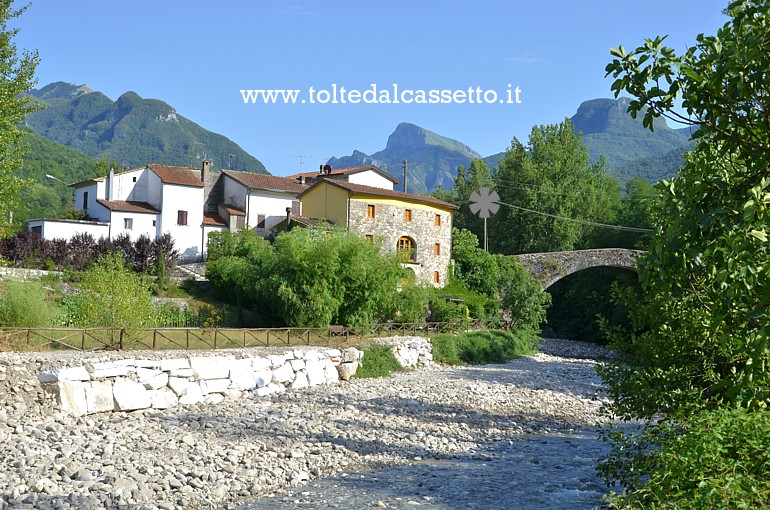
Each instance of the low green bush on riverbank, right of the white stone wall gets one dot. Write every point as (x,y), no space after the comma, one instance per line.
(481,347)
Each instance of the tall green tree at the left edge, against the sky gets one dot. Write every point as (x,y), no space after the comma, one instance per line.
(17,76)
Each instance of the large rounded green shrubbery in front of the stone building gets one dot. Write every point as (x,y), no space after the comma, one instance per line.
(310,277)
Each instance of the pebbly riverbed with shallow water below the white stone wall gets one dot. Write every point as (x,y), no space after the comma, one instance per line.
(495,420)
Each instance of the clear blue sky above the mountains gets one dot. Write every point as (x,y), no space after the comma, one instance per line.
(197,55)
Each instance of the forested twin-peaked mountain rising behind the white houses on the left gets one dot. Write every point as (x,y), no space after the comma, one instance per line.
(132,130)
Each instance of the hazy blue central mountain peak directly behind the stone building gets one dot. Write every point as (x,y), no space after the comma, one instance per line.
(432,159)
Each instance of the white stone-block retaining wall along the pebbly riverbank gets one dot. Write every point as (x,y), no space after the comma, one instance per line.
(131,384)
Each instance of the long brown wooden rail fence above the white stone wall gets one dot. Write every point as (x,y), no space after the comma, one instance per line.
(94,339)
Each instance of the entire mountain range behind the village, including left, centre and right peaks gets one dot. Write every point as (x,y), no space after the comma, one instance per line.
(80,125)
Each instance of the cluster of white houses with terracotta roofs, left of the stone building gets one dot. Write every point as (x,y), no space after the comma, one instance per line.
(186,203)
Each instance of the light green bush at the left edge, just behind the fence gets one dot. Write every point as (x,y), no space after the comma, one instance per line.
(25,304)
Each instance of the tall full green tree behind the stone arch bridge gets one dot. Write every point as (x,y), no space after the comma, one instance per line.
(550,175)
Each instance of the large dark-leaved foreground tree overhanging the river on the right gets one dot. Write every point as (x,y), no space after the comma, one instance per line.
(699,331)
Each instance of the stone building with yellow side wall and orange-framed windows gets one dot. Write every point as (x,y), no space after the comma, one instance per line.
(417,225)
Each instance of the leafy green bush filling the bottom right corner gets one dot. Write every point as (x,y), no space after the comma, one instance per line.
(719,461)
